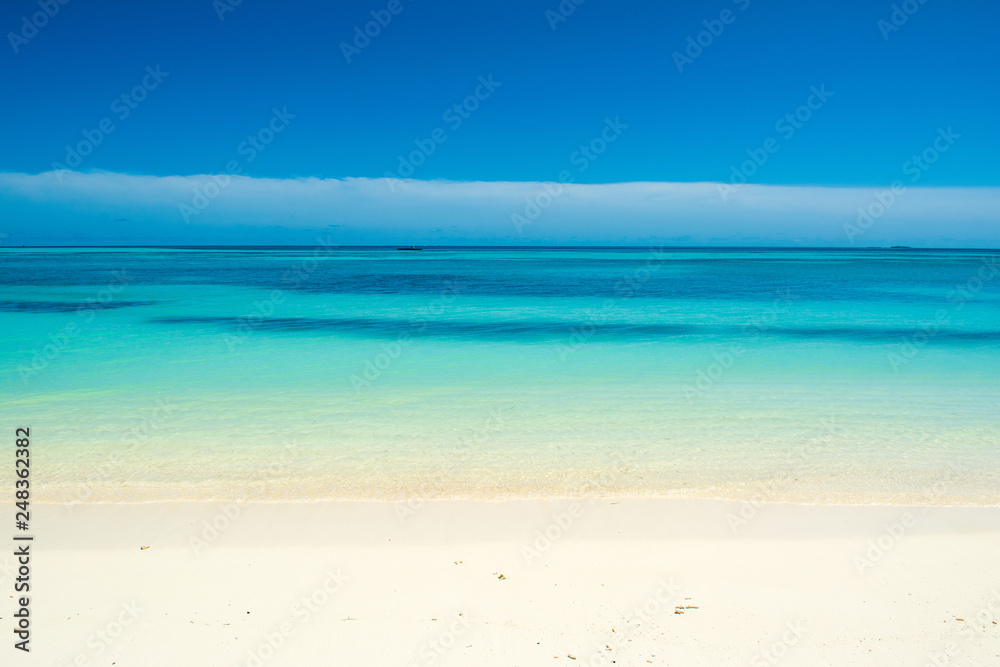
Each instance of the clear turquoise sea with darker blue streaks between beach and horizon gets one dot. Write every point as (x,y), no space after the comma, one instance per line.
(828,376)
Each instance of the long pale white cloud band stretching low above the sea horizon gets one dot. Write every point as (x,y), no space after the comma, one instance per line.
(100,207)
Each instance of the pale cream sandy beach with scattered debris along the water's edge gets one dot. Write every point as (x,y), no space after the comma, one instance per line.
(599,580)
